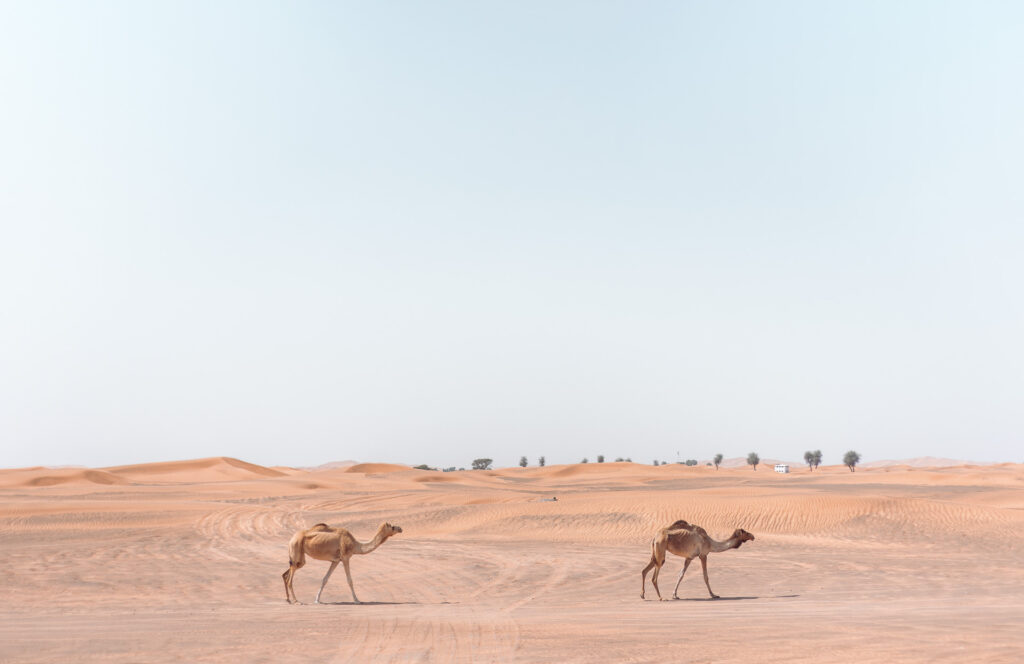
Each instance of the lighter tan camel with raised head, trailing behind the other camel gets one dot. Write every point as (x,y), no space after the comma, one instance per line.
(326,544)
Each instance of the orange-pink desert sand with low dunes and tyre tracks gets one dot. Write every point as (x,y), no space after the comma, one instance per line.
(183,562)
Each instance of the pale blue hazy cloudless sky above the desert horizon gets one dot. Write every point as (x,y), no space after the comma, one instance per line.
(415,232)
